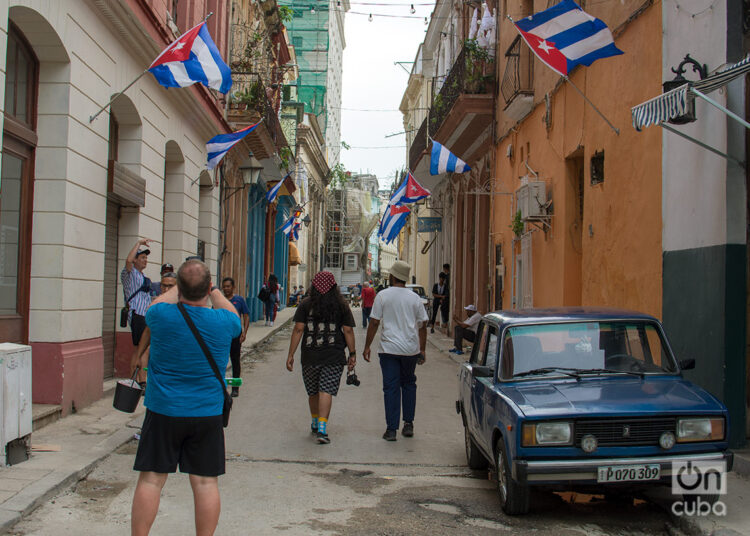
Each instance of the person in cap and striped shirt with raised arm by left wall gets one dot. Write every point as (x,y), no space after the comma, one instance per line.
(137,290)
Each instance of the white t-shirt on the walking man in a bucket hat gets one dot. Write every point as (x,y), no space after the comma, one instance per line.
(401,313)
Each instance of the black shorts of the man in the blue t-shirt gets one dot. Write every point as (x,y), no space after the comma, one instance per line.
(196,444)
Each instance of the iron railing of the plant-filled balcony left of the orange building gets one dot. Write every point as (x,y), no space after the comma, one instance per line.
(473,72)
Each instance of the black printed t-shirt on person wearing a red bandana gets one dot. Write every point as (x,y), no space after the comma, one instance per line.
(323,343)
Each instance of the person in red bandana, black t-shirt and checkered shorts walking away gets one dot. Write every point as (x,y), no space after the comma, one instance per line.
(323,322)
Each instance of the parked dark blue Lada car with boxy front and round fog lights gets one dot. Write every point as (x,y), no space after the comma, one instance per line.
(582,398)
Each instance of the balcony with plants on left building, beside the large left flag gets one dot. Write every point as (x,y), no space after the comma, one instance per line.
(250,101)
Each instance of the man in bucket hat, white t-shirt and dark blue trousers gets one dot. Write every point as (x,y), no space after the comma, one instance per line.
(402,347)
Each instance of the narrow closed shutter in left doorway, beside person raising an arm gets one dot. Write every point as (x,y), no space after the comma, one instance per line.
(109,294)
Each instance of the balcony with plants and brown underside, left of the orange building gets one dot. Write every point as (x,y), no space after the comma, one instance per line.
(461,110)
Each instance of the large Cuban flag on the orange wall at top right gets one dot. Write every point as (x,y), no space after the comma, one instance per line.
(564,36)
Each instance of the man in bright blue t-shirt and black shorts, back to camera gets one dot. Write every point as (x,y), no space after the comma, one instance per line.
(183,423)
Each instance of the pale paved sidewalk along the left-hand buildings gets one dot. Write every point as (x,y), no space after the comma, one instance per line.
(69,449)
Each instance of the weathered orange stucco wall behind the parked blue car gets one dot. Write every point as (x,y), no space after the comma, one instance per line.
(614,256)
